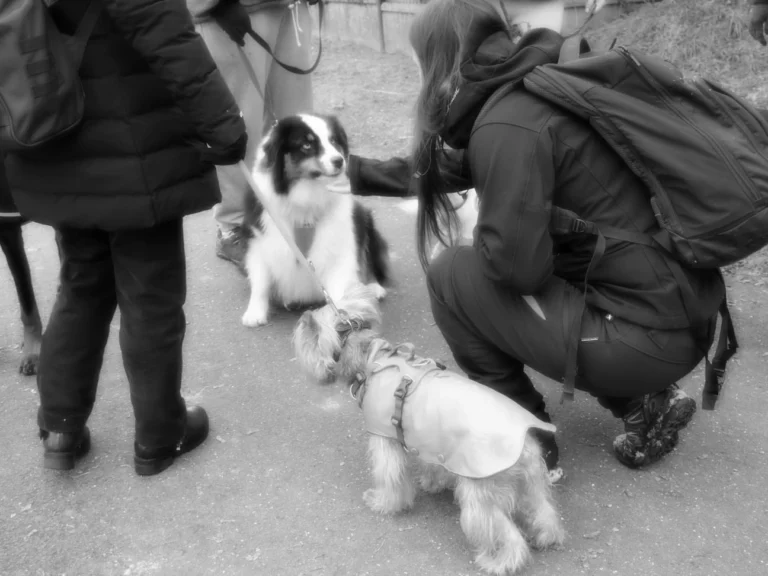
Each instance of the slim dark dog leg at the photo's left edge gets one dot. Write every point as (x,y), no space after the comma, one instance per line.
(12,243)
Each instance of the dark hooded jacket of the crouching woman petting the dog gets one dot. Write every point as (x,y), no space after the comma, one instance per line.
(526,155)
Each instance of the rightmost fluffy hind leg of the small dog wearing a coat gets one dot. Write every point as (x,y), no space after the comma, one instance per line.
(536,507)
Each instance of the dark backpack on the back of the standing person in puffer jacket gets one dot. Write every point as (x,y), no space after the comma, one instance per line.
(41,97)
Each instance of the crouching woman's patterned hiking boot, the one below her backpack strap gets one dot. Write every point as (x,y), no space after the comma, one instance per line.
(651,426)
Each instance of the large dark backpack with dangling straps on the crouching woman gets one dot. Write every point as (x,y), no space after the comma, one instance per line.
(701,151)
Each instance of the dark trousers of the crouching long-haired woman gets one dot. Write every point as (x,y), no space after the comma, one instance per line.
(494,334)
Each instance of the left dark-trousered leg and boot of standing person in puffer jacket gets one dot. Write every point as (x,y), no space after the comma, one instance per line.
(73,345)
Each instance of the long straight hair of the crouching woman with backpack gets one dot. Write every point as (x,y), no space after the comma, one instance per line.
(440,35)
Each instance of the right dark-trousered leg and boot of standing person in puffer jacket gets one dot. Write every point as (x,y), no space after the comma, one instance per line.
(151,284)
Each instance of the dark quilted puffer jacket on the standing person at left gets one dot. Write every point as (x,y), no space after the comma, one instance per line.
(151,87)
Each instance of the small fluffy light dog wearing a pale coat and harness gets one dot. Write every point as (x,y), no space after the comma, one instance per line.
(467,437)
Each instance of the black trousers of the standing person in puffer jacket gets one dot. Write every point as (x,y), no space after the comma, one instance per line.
(144,273)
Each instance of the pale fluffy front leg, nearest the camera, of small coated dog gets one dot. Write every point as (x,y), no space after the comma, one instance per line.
(393,490)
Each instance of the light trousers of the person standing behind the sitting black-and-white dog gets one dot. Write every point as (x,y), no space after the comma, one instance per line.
(289,33)
